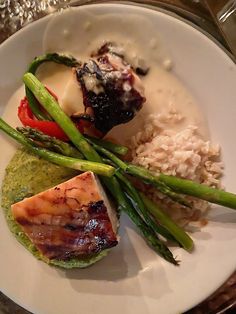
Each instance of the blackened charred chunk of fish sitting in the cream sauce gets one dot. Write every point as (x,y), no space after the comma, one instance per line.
(111,89)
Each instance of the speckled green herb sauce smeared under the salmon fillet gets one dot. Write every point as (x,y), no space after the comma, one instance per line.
(27,175)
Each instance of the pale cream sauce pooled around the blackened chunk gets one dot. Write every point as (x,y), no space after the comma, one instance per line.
(66,33)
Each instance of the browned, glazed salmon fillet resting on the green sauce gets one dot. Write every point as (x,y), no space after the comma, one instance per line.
(73,219)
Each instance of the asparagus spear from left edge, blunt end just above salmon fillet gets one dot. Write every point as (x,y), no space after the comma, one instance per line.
(78,164)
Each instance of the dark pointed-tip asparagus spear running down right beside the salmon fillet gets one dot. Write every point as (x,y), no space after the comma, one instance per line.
(151,238)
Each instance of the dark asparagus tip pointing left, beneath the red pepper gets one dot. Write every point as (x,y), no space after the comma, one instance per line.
(42,140)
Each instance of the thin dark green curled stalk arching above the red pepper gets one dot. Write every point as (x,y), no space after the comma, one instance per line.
(53,57)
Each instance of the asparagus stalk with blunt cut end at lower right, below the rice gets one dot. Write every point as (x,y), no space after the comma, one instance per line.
(180,235)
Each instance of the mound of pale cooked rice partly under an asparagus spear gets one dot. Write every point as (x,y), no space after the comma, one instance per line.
(183,153)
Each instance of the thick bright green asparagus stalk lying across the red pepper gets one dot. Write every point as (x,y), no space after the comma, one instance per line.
(51,106)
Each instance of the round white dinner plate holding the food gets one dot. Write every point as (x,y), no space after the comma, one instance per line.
(132,278)
